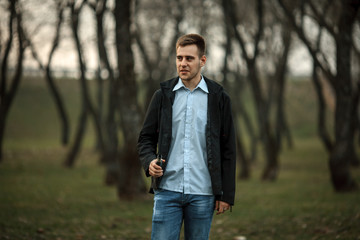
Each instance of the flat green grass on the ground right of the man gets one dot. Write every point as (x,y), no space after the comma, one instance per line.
(301,204)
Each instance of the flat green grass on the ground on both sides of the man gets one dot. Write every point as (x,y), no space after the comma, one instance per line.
(40,199)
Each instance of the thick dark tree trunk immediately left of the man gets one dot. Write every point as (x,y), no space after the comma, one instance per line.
(130,181)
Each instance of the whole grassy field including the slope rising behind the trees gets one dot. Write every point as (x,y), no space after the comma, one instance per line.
(40,199)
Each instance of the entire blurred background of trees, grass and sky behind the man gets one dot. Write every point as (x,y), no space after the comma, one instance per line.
(76,79)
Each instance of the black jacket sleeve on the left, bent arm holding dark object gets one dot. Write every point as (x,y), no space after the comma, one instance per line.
(148,137)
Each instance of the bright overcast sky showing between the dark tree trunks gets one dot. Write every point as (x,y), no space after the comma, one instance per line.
(299,63)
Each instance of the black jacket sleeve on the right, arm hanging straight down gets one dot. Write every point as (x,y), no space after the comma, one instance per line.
(228,152)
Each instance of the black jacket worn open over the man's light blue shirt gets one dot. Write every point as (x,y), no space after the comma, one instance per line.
(156,133)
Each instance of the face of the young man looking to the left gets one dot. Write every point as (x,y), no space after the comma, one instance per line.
(188,63)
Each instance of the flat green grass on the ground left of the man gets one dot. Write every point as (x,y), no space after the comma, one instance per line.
(40,199)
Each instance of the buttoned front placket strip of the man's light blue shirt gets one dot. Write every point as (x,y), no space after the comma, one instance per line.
(187,141)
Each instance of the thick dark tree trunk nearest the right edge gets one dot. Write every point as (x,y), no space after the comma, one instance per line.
(343,152)
